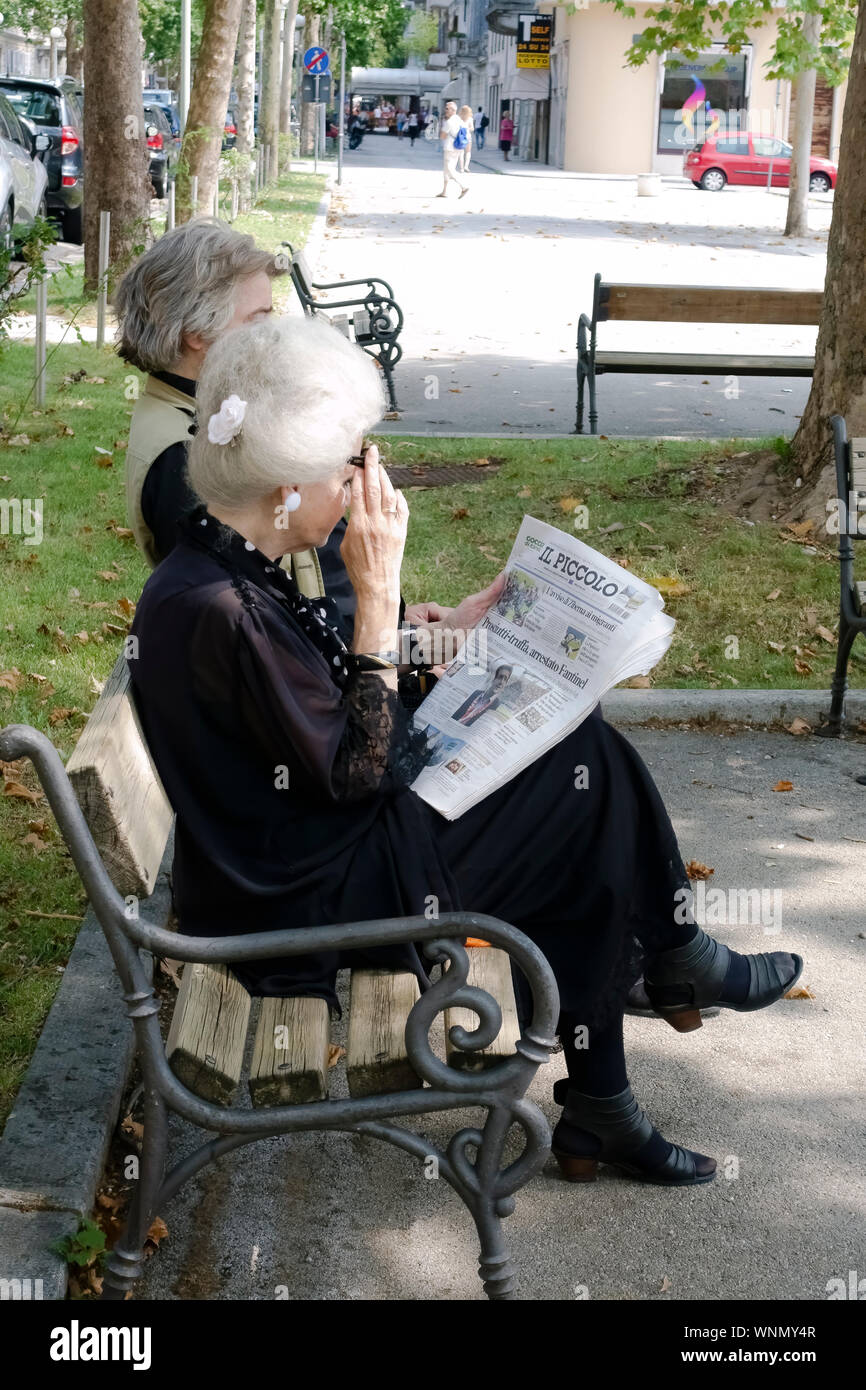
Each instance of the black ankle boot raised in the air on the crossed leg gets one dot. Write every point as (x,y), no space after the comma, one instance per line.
(692,978)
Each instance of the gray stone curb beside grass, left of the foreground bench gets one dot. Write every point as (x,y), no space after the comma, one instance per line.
(56,1140)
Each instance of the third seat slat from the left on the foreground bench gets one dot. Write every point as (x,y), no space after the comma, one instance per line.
(376,1053)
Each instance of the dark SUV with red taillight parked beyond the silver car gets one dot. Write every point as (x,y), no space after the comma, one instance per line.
(56,112)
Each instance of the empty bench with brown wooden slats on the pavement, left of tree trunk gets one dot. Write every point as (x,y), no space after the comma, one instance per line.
(689,305)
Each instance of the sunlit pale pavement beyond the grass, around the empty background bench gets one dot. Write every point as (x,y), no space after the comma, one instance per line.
(493,287)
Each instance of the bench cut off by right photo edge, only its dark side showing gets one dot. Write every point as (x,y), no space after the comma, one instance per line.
(850,457)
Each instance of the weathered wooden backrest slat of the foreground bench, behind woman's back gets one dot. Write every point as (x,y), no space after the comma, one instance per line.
(120,792)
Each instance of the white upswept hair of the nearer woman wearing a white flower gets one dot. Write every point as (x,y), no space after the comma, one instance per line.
(309,395)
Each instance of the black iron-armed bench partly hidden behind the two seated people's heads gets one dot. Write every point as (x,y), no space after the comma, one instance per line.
(375,319)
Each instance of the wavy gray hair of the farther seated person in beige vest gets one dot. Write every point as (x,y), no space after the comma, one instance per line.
(186,284)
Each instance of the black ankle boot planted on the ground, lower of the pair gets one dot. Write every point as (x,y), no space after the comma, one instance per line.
(615,1129)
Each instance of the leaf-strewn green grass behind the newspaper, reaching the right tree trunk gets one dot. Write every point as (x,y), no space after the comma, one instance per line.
(668,498)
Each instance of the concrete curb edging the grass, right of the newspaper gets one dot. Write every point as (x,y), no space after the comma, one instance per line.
(749,707)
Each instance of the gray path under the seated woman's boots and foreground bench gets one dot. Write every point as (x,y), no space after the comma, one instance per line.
(776,1097)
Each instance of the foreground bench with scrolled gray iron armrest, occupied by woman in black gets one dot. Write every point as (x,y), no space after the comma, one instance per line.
(116,822)
